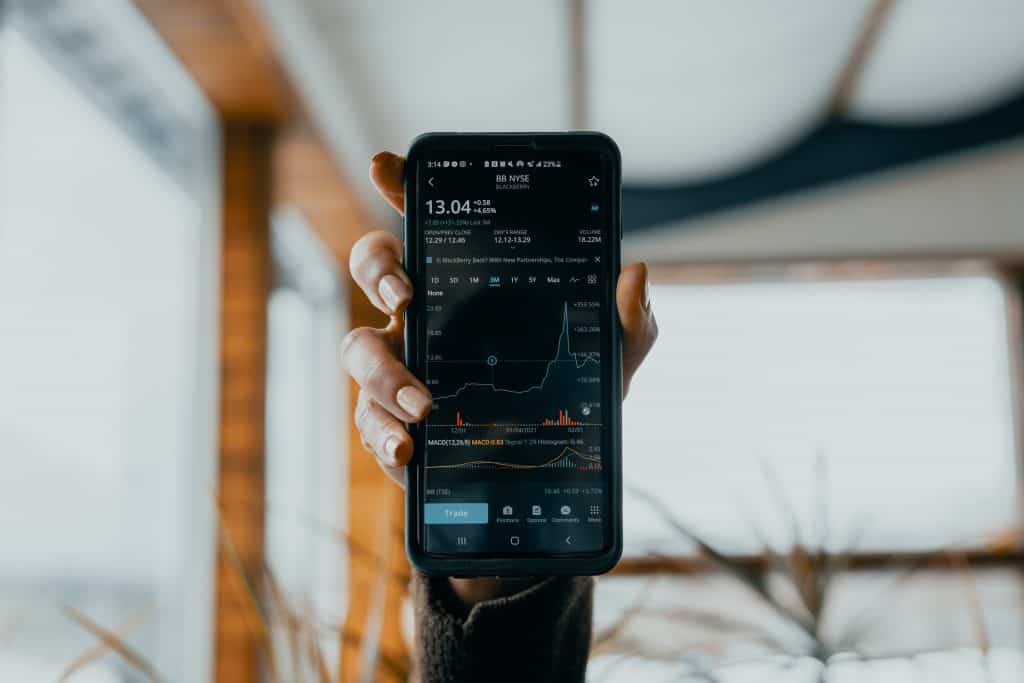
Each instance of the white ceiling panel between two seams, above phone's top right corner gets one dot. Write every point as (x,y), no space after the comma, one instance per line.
(698,90)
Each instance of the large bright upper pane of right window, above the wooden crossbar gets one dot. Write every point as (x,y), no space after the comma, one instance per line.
(892,397)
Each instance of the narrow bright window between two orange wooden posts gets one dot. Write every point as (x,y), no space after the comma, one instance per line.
(305,466)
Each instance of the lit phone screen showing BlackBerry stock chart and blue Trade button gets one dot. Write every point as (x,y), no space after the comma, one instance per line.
(515,292)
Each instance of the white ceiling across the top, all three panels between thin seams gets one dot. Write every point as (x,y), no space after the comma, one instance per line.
(691,90)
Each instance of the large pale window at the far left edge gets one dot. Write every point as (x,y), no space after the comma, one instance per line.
(108,345)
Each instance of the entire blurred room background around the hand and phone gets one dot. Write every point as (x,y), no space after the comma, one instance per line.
(824,454)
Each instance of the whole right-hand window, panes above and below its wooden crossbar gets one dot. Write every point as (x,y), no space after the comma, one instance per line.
(872,416)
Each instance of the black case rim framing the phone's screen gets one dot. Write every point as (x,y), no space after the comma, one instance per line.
(528,566)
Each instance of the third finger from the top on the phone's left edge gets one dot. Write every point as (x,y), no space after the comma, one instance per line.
(369,357)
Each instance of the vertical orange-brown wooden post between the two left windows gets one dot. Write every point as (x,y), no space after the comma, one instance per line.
(246,280)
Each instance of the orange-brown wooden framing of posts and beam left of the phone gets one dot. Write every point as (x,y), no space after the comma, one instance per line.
(272,156)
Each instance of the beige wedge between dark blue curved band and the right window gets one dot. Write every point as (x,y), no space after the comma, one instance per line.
(961,207)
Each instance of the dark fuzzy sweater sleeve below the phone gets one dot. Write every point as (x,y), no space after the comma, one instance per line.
(538,635)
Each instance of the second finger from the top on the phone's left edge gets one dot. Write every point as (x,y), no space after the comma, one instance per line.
(376,267)
